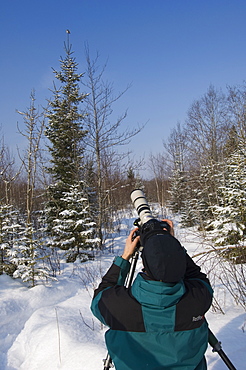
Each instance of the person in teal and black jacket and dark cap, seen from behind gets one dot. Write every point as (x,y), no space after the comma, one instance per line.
(158,322)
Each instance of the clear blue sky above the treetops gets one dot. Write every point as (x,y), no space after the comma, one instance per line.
(169,50)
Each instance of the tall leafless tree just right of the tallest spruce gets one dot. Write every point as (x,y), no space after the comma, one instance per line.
(104,132)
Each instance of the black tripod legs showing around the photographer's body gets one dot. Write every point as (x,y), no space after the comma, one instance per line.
(212,340)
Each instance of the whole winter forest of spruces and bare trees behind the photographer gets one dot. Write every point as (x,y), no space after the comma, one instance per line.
(63,200)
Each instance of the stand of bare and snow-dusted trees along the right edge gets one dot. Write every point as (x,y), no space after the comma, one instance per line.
(209,166)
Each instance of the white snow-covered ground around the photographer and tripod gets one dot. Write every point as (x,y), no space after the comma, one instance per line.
(51,327)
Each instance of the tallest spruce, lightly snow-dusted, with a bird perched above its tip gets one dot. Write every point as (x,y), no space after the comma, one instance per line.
(65,132)
